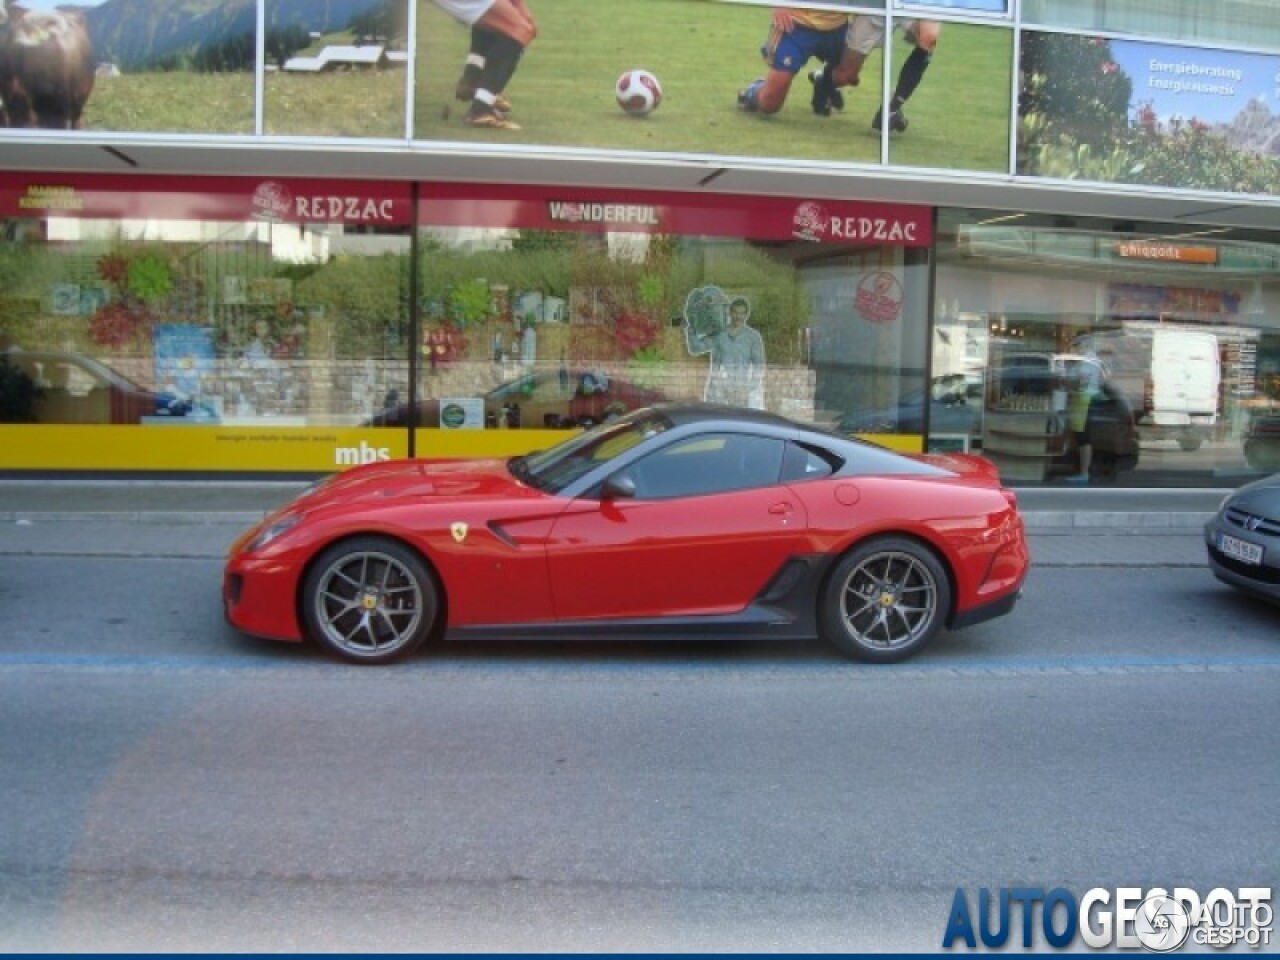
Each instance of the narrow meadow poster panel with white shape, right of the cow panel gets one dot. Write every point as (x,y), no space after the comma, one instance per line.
(336,70)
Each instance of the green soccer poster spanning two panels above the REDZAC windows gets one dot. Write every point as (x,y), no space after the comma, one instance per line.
(701,61)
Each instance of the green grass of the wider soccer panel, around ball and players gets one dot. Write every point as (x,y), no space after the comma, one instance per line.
(703,56)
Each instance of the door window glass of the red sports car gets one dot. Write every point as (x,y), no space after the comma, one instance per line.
(706,465)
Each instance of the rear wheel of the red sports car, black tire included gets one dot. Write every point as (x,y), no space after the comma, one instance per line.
(885,601)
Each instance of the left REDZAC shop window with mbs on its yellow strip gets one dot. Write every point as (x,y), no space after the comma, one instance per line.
(231,324)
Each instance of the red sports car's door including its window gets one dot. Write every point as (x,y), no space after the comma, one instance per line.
(708,527)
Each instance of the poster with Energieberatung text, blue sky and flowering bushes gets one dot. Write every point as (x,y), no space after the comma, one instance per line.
(1130,112)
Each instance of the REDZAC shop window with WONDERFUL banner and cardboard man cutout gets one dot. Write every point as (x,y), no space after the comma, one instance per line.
(554,312)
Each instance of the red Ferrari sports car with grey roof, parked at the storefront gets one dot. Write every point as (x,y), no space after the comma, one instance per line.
(676,518)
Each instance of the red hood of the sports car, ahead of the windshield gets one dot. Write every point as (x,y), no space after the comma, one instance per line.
(419,479)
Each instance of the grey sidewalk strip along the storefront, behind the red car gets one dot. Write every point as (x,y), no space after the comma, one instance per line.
(200,519)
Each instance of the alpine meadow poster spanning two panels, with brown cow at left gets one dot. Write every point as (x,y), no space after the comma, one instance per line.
(332,70)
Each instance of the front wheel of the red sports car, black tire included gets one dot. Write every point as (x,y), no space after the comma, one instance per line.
(371,601)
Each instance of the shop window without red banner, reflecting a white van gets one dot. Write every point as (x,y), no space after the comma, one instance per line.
(1105,353)
